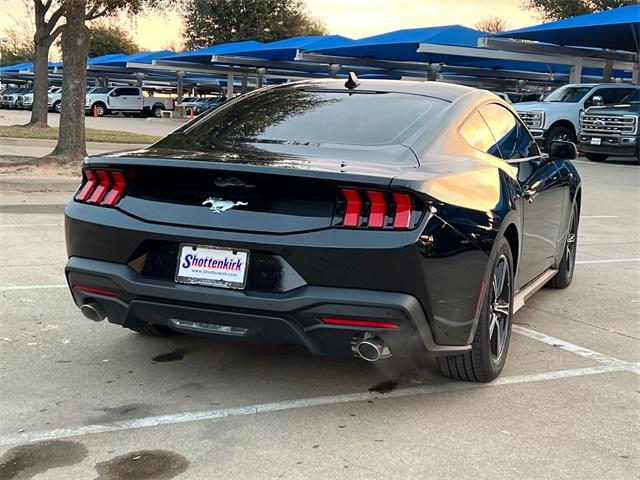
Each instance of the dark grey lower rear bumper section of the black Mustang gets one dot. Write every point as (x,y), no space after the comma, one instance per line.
(288,318)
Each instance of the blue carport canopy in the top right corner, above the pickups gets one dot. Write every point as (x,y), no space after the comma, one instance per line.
(617,29)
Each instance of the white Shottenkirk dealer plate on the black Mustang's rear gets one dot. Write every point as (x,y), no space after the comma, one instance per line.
(212,266)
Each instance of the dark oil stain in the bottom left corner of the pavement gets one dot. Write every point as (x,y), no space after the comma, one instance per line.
(27,461)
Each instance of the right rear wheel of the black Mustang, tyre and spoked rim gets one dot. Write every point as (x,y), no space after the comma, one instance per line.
(488,353)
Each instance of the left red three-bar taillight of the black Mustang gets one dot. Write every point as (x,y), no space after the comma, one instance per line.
(102,187)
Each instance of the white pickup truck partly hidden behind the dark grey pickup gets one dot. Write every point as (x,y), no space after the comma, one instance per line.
(557,116)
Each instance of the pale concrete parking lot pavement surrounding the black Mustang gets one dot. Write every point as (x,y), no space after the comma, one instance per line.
(94,401)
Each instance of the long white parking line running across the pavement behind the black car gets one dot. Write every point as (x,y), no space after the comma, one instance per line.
(189,417)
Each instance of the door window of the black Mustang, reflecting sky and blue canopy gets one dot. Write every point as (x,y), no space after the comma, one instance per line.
(512,138)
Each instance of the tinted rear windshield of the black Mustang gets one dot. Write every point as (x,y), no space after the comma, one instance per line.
(294,115)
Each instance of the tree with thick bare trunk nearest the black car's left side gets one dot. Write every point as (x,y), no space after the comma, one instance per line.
(75,51)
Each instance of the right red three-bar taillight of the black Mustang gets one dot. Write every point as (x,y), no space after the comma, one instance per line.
(375,209)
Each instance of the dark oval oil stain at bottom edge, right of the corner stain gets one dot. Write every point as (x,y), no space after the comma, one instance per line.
(143,465)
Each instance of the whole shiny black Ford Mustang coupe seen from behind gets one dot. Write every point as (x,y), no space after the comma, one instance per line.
(371,218)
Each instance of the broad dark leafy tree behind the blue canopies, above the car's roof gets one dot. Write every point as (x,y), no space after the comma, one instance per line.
(210,22)
